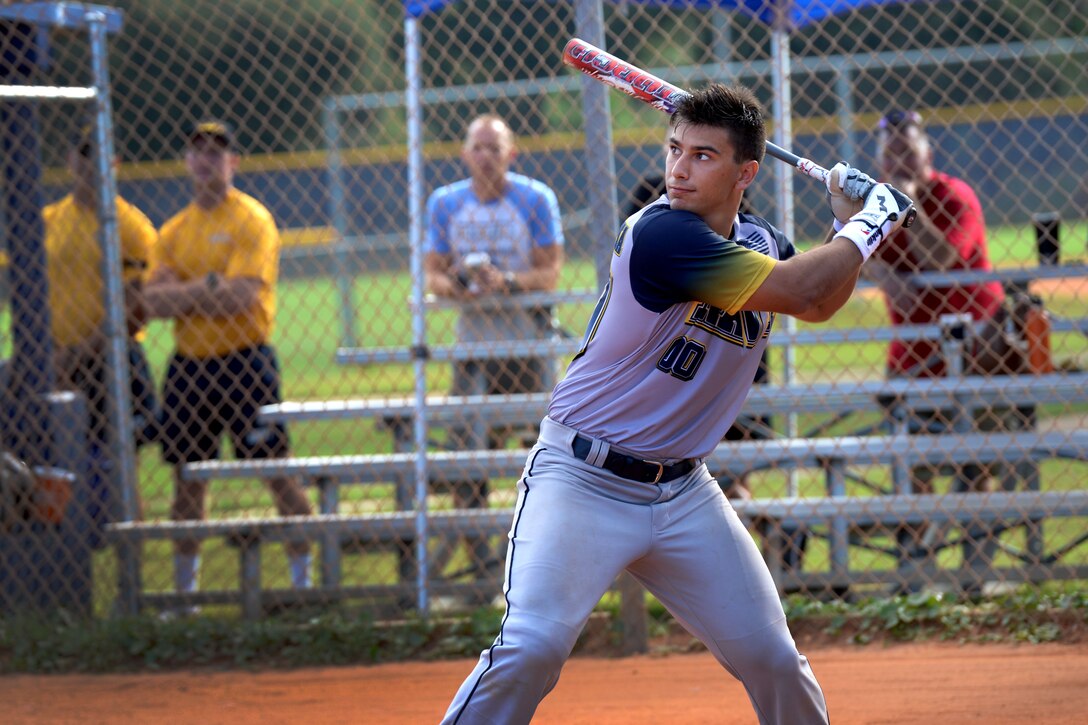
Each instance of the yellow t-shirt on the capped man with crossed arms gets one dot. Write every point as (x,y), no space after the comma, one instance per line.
(238,239)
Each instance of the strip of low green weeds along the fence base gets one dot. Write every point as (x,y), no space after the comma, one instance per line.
(58,644)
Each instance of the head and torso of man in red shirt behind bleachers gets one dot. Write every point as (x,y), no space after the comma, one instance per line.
(949,235)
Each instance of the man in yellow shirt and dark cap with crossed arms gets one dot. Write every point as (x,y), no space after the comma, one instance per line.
(215,274)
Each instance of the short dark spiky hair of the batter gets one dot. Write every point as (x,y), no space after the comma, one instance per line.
(733,108)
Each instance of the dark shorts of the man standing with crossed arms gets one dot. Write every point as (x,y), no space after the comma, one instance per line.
(203,399)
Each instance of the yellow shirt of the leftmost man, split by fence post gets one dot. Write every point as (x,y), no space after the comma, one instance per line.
(75,262)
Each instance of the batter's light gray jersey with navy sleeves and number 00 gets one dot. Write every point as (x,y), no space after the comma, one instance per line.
(660,375)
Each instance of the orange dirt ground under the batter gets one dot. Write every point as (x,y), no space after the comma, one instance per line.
(896,684)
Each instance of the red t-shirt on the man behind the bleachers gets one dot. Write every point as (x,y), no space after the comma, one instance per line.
(956,211)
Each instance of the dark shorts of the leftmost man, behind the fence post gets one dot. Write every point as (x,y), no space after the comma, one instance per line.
(90,377)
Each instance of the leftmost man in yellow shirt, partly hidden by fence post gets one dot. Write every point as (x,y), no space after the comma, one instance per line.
(77,301)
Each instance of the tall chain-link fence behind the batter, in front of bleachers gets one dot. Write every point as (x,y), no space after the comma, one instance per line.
(354,127)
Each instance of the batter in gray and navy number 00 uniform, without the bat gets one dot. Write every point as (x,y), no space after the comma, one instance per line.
(617,480)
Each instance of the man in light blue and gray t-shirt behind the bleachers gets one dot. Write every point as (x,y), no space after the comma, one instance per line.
(492,235)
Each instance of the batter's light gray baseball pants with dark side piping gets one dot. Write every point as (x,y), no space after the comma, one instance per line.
(576,527)
